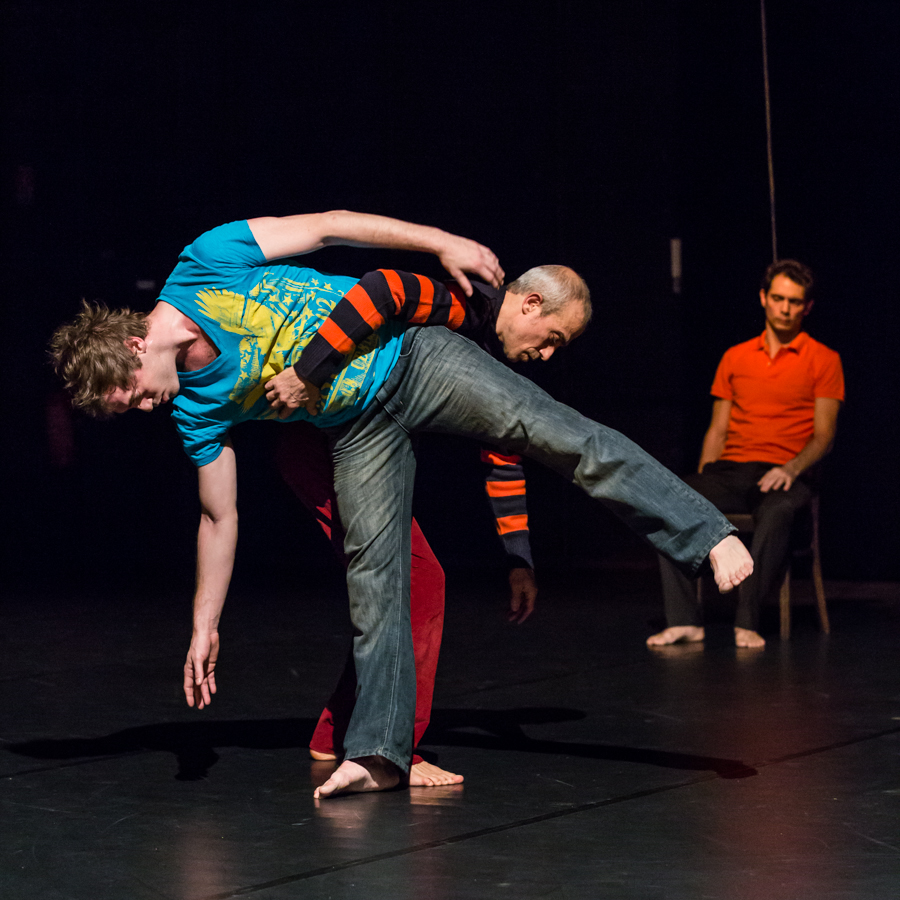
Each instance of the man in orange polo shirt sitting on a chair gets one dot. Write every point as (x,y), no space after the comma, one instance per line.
(774,416)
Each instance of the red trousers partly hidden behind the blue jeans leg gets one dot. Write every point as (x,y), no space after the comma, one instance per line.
(305,464)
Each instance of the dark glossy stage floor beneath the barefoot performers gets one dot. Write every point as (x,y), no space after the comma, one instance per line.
(594,768)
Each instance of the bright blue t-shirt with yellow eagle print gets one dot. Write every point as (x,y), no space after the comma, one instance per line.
(260,315)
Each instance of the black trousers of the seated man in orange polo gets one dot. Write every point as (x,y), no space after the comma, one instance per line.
(731,487)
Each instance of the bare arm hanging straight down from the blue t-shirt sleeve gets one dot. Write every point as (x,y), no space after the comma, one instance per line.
(216,542)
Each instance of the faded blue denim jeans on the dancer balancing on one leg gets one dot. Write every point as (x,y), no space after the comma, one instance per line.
(444,383)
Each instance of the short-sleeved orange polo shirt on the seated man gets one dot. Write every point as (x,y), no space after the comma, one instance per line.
(773,400)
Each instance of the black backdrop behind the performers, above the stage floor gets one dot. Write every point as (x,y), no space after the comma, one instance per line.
(583,133)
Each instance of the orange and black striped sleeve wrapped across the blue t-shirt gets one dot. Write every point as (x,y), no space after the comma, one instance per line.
(375,298)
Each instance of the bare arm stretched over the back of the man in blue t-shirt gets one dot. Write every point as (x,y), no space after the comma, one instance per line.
(296,235)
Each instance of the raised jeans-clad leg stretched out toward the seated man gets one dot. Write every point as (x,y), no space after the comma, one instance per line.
(451,386)
